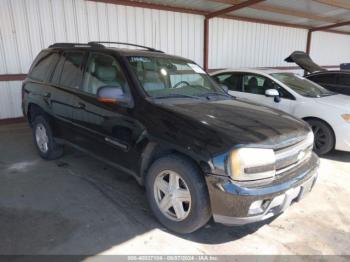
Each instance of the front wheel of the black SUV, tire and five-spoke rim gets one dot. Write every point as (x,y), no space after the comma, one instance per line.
(190,183)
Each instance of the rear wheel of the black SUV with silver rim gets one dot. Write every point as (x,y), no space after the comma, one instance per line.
(42,134)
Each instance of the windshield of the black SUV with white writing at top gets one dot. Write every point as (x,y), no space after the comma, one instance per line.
(174,78)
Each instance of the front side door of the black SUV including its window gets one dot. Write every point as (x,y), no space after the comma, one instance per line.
(106,130)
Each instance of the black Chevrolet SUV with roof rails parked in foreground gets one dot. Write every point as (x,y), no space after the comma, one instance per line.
(200,152)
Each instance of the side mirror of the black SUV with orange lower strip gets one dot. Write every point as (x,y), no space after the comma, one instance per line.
(111,95)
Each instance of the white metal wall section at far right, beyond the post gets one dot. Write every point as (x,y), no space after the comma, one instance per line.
(329,48)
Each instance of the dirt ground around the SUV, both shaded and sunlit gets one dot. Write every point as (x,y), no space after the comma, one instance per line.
(78,205)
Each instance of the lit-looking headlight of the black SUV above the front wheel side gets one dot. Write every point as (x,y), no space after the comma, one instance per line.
(252,164)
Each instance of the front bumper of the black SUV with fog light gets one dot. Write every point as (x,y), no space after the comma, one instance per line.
(235,204)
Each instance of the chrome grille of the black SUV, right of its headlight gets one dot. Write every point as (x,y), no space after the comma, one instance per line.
(292,156)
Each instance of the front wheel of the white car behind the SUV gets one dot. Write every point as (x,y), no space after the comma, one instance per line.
(324,136)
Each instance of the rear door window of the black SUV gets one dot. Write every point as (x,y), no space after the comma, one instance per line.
(71,72)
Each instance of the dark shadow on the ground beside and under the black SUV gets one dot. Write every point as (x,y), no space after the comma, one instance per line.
(75,205)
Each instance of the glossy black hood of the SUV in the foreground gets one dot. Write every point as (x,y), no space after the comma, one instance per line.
(224,124)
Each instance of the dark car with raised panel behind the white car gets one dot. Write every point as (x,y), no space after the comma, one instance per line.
(337,81)
